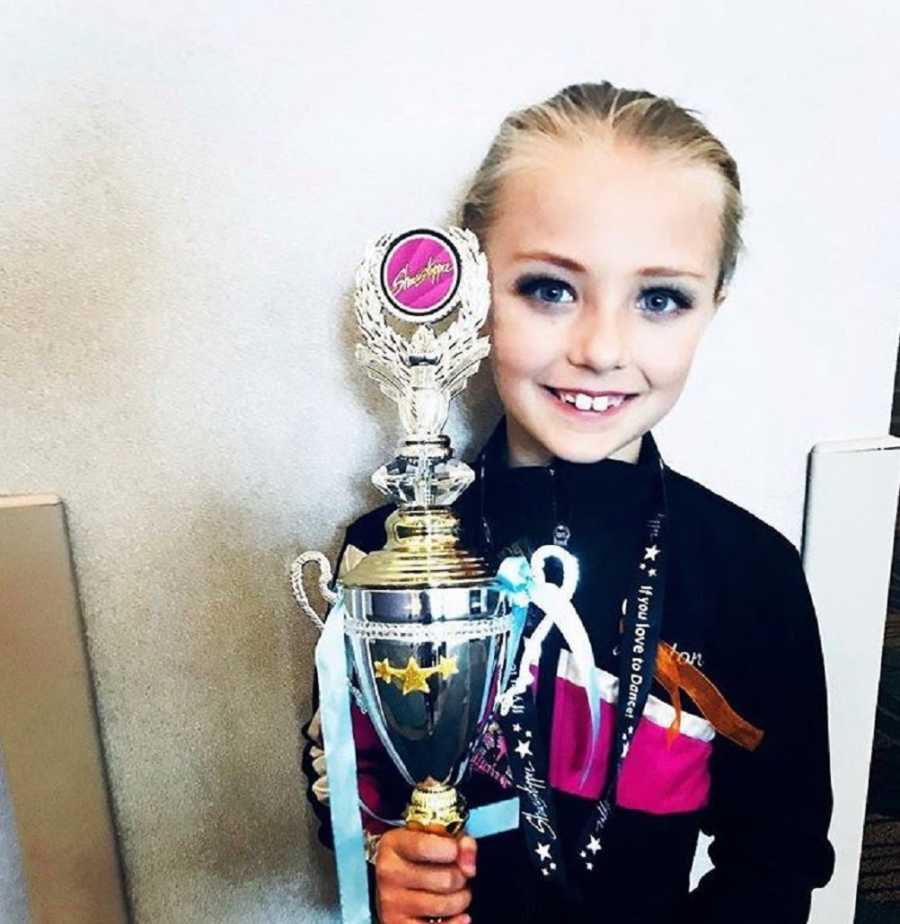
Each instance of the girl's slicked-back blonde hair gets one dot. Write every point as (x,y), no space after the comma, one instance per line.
(586,111)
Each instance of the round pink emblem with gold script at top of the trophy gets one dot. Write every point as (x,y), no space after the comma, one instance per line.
(420,275)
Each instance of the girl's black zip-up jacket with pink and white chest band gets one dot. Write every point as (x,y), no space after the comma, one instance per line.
(738,608)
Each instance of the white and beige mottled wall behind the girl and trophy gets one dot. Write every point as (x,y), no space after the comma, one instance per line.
(186,189)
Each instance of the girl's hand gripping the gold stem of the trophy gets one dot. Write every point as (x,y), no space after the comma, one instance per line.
(420,876)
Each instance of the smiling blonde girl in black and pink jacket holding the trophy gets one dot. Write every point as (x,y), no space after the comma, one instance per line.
(611,223)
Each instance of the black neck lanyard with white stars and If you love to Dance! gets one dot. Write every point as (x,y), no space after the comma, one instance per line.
(526,753)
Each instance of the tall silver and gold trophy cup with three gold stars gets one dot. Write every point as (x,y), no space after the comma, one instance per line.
(427,625)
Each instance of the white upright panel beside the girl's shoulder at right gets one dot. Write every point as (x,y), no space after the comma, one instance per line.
(848,544)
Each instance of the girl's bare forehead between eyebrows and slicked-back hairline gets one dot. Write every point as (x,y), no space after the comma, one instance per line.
(610,206)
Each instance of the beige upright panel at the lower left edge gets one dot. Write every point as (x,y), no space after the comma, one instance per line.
(48,726)
